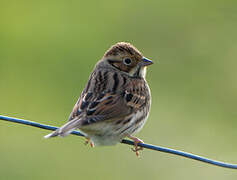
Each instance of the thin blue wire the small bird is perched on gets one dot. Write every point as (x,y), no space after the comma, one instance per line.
(125,141)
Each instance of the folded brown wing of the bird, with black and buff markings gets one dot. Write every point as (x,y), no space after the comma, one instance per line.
(94,107)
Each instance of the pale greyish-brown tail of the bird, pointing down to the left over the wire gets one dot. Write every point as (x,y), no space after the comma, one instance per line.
(65,129)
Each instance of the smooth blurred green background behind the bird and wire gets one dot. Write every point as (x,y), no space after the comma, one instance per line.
(49,48)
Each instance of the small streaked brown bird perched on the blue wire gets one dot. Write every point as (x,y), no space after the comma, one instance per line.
(115,102)
